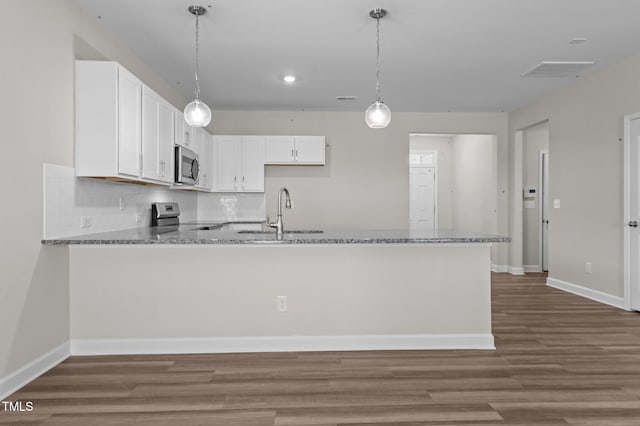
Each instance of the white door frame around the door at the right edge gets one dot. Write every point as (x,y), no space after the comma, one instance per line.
(627,187)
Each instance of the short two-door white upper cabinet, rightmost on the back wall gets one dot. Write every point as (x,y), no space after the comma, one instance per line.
(300,150)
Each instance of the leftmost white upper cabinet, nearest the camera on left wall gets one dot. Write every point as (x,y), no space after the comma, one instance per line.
(108,121)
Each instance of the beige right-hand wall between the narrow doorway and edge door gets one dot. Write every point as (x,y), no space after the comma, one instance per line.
(585,152)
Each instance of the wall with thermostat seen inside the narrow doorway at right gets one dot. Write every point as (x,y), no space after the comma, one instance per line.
(535,139)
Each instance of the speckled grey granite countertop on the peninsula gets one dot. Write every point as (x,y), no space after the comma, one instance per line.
(256,233)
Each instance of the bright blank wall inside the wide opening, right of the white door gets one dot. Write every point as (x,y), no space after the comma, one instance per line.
(474,185)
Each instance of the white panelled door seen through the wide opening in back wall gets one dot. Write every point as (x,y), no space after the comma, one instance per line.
(422,199)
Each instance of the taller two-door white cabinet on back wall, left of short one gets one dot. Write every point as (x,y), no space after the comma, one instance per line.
(240,163)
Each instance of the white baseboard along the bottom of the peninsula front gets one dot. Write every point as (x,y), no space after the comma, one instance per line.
(280,344)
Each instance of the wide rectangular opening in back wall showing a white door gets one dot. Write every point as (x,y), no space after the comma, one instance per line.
(453,182)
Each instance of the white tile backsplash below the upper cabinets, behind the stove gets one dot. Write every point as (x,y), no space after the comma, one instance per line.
(79,206)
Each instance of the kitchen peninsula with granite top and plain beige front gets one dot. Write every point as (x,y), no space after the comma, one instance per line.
(193,290)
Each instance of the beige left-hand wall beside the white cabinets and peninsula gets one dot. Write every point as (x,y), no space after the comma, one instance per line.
(39,42)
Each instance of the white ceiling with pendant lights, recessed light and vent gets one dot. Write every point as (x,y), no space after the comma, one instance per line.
(436,55)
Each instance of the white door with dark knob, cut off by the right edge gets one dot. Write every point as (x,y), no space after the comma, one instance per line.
(632,211)
